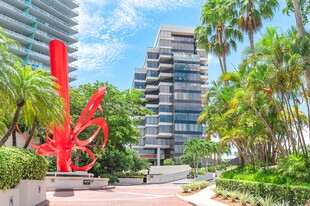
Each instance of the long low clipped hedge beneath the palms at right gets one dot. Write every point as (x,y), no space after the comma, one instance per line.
(295,195)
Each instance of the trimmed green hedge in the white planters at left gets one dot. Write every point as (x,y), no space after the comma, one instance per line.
(20,164)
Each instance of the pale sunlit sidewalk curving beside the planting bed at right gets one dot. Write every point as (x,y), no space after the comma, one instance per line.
(202,198)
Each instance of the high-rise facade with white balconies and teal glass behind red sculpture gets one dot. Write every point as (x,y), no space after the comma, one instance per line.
(34,23)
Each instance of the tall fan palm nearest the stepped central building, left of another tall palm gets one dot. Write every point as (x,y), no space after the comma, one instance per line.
(217,33)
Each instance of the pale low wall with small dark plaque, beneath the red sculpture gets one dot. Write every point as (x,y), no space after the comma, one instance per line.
(75,182)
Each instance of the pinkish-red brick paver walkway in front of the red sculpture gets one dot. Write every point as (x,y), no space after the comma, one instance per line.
(141,195)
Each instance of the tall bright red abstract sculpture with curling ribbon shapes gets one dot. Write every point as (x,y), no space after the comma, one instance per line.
(66,139)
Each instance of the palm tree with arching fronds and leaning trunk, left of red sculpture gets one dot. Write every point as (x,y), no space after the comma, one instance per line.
(32,94)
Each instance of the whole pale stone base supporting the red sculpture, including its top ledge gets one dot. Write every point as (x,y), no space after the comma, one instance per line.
(74,180)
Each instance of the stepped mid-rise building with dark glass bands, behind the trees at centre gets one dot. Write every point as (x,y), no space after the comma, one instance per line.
(173,79)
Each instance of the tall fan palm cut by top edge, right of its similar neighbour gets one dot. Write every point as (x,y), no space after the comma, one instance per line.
(251,14)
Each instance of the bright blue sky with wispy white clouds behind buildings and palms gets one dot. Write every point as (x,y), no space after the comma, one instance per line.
(114,35)
